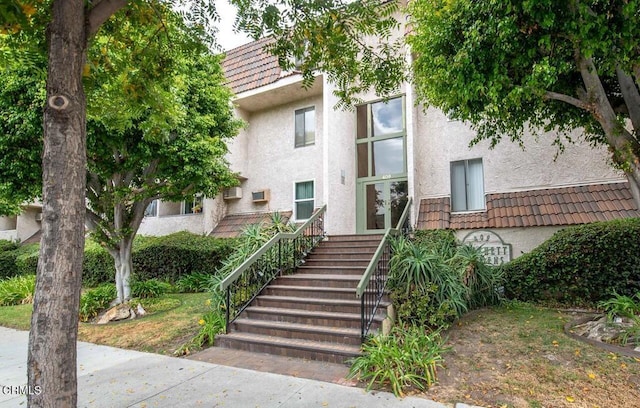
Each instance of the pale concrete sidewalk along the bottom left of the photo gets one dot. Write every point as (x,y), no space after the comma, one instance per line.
(110,377)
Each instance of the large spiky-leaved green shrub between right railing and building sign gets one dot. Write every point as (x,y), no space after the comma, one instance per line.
(433,280)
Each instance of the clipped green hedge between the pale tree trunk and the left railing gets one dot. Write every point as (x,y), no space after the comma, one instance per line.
(170,257)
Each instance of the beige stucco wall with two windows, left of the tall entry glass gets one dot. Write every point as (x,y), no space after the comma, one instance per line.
(264,152)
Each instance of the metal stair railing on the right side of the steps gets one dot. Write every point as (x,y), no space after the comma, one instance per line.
(371,287)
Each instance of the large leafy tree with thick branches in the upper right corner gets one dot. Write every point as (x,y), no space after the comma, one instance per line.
(554,65)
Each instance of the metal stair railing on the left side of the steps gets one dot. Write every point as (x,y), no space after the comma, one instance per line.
(281,255)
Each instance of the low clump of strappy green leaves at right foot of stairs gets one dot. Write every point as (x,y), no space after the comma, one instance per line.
(406,358)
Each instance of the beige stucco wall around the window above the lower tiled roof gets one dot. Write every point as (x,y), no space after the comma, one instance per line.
(506,167)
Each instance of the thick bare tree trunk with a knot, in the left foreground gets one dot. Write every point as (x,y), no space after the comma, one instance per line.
(54,323)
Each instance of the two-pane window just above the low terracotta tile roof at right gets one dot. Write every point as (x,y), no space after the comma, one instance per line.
(467,185)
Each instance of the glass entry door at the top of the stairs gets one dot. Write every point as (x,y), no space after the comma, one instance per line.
(383,203)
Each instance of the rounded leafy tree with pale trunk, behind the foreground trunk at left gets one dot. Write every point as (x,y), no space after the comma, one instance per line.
(157,118)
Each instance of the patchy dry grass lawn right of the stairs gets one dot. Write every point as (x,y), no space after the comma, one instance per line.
(519,356)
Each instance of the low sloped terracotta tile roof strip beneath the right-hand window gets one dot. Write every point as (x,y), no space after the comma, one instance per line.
(548,207)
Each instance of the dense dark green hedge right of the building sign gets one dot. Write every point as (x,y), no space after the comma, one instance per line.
(579,265)
